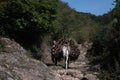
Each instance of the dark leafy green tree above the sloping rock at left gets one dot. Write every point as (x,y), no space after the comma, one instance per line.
(27,21)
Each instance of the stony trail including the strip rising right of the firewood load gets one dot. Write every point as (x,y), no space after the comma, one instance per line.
(77,70)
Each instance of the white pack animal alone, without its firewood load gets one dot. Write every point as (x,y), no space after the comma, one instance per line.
(66,52)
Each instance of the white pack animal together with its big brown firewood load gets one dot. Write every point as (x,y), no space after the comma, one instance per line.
(64,49)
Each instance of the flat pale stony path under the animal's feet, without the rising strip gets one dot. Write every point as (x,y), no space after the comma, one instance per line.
(76,71)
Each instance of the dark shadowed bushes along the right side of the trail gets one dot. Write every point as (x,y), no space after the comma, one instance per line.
(106,48)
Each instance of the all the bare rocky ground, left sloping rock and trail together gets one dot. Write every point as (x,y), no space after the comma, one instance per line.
(16,65)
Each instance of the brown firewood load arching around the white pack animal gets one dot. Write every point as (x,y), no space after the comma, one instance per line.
(74,50)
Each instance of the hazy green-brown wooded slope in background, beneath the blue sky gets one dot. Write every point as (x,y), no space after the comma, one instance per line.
(77,25)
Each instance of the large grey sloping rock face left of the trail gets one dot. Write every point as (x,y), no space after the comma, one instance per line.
(16,65)
